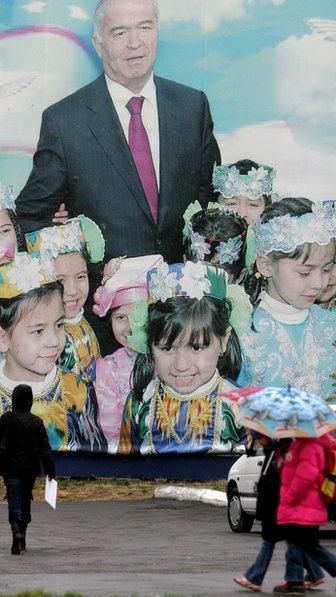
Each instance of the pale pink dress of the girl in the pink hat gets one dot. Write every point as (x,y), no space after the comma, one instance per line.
(112,384)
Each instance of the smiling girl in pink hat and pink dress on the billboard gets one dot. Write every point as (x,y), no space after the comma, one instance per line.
(123,297)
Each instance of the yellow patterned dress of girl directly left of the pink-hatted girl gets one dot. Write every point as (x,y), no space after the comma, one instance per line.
(81,345)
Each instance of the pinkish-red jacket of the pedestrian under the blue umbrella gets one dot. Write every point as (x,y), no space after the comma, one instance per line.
(301,477)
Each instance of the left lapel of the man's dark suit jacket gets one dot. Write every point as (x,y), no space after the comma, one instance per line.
(105,125)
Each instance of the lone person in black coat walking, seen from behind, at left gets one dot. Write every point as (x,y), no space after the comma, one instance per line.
(23,443)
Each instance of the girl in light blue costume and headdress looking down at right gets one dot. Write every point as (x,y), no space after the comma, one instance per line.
(292,338)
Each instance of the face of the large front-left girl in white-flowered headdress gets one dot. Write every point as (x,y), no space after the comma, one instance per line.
(36,341)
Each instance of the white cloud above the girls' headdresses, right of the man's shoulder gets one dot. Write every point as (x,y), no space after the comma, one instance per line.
(302,170)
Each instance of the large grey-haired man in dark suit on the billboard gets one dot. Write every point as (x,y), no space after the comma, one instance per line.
(84,158)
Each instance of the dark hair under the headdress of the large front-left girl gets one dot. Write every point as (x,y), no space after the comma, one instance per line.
(13,309)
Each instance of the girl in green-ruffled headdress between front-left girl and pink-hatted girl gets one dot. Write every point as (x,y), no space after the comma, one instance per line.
(71,245)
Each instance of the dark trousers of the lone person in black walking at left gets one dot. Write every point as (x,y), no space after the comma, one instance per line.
(19,496)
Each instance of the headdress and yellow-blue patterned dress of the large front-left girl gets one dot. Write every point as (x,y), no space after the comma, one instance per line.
(66,402)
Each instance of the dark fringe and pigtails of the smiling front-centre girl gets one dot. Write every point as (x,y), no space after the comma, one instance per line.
(168,321)
